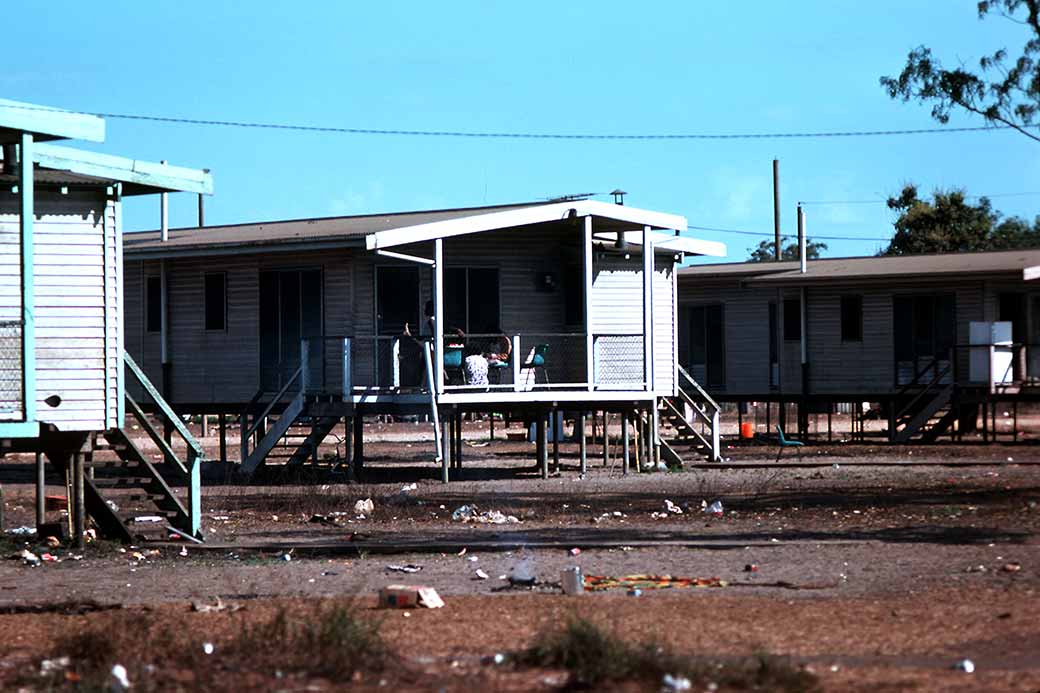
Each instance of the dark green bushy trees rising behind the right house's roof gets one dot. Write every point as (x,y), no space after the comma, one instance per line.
(950,224)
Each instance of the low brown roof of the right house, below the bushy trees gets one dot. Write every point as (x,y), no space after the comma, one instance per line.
(859,269)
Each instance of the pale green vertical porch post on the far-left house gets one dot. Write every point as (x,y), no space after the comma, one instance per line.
(27,193)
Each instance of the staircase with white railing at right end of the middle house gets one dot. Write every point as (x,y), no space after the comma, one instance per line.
(689,424)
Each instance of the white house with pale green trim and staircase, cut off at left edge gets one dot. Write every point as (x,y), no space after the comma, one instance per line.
(63,368)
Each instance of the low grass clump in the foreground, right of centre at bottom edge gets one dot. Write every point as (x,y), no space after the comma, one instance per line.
(594,658)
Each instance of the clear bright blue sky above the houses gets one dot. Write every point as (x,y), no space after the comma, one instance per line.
(538,67)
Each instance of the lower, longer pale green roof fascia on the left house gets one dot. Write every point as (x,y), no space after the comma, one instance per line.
(154,177)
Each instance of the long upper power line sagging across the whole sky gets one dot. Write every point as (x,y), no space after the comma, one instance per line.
(521,136)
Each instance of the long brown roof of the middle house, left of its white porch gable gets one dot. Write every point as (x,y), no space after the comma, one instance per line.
(342,230)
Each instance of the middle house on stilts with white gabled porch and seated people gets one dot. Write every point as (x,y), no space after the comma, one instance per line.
(289,329)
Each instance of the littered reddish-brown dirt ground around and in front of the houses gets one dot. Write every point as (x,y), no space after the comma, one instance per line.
(871,578)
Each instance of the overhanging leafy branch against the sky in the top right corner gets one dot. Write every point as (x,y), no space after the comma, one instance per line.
(1006,91)
